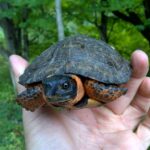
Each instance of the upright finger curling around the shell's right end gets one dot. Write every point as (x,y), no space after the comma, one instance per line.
(139,62)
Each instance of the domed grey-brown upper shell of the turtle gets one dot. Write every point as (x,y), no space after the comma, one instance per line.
(80,55)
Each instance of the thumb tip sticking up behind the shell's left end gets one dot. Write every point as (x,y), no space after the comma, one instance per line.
(18,65)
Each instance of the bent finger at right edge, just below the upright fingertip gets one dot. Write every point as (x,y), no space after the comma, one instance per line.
(142,98)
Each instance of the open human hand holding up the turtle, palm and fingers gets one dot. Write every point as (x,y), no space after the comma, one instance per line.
(120,125)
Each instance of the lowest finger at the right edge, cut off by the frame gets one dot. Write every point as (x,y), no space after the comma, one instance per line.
(143,131)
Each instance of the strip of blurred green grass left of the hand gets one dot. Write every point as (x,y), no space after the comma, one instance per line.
(11,135)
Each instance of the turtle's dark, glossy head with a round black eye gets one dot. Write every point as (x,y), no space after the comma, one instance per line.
(59,88)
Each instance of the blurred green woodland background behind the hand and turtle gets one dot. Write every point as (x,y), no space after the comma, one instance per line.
(28,27)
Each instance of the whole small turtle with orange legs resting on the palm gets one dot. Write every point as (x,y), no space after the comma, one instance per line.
(77,72)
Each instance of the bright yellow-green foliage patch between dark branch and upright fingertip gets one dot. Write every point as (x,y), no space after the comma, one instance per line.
(125,33)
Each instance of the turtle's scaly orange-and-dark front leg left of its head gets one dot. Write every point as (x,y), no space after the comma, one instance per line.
(31,98)
